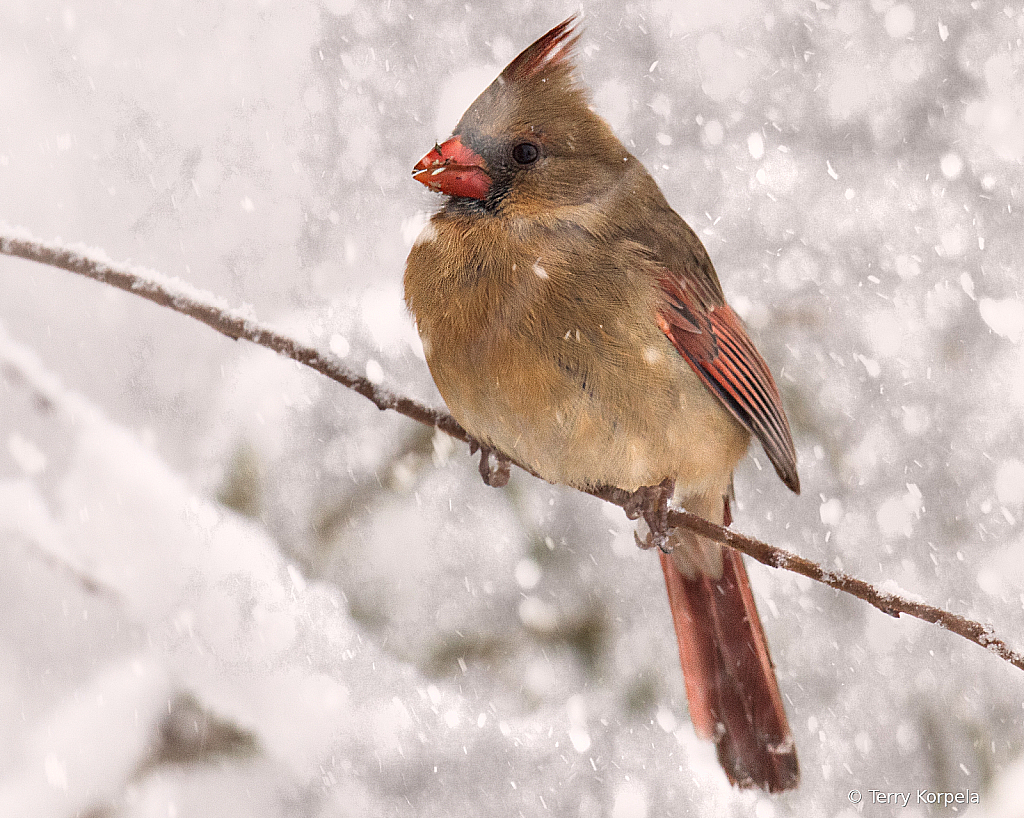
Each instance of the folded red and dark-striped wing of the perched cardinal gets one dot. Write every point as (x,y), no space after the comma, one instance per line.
(714,342)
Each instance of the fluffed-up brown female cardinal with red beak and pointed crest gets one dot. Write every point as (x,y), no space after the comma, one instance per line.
(574,322)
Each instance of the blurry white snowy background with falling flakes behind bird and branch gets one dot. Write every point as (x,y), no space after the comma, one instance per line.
(230,587)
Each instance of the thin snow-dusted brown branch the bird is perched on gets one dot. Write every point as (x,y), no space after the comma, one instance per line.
(236,324)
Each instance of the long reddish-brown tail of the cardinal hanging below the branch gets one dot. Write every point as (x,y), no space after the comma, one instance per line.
(731,681)
